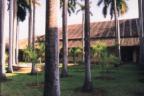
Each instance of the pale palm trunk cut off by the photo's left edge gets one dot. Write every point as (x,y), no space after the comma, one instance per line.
(2,41)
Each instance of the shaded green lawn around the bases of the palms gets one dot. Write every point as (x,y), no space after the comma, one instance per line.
(125,82)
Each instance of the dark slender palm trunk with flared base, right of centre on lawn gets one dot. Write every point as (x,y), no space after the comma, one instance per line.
(88,81)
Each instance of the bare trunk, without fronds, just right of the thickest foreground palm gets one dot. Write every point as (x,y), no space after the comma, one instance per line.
(64,72)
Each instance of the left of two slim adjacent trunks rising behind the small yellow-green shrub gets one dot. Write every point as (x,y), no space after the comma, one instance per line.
(30,32)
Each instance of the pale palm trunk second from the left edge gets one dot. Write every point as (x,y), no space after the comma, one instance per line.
(10,68)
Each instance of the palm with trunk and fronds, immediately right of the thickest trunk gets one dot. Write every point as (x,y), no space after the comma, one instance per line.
(68,6)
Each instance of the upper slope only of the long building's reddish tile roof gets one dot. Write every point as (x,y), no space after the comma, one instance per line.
(128,28)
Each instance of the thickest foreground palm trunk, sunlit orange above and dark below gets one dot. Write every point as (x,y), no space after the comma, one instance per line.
(52,83)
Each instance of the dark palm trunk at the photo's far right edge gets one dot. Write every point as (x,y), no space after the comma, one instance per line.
(141,36)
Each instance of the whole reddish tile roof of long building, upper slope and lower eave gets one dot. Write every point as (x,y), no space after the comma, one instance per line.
(103,32)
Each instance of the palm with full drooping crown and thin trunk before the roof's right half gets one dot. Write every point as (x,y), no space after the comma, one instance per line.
(117,7)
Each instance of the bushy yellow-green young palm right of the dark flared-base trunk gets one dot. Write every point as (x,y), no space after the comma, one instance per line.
(104,58)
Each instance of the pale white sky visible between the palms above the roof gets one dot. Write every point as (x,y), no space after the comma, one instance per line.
(73,19)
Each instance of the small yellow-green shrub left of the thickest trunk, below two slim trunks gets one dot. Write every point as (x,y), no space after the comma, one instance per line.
(30,54)
